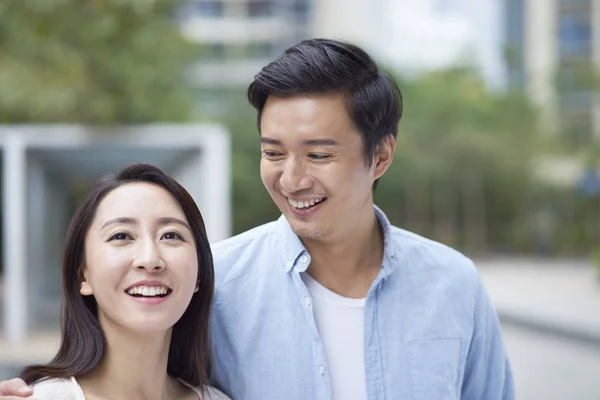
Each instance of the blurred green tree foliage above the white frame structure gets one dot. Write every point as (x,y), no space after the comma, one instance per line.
(92,61)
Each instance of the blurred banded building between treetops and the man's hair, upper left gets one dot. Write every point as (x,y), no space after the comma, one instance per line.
(237,38)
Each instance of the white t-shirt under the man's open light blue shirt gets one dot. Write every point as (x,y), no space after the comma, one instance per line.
(340,321)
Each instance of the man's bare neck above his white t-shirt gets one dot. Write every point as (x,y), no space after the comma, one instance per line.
(348,264)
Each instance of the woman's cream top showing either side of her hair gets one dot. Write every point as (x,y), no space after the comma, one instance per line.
(69,389)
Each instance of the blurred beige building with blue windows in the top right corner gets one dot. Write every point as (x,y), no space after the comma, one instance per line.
(552,47)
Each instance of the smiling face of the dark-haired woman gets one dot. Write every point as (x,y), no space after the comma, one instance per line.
(141,263)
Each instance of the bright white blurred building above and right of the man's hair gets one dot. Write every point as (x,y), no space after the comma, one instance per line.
(412,36)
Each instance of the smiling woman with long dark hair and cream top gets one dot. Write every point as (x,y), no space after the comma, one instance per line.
(138,287)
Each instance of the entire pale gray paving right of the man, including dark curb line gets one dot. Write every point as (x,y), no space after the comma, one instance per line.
(550,312)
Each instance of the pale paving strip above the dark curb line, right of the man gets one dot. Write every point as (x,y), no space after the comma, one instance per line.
(561,297)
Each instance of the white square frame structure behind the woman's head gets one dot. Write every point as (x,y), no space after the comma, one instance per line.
(42,163)
